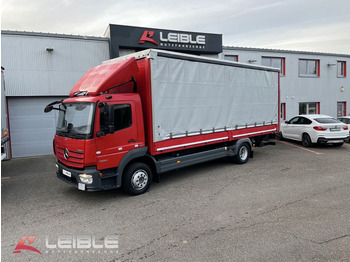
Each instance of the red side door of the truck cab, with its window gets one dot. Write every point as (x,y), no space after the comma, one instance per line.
(112,147)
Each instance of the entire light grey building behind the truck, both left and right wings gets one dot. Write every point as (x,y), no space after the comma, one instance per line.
(41,68)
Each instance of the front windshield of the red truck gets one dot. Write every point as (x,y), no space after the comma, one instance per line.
(75,120)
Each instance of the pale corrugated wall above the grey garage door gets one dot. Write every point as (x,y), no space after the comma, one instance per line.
(32,71)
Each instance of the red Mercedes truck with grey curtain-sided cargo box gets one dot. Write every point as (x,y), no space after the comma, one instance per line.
(135,117)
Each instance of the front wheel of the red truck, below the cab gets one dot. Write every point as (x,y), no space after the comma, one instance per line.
(137,179)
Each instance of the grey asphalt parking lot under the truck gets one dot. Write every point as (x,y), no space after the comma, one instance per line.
(288,203)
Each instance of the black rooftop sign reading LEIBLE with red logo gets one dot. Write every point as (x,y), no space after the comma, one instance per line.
(140,38)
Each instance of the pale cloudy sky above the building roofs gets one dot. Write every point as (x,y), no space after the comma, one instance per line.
(303,25)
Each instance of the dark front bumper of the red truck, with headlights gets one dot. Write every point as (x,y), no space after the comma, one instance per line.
(73,179)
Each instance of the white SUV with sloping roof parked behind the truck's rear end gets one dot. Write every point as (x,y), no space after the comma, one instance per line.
(311,129)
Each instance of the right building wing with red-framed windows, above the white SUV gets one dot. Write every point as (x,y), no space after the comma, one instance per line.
(310,82)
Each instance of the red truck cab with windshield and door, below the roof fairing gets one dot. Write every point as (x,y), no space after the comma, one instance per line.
(95,133)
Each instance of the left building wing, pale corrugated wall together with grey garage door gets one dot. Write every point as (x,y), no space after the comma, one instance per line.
(39,69)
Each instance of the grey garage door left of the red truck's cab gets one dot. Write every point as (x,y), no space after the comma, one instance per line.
(31,130)
